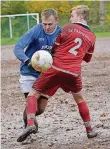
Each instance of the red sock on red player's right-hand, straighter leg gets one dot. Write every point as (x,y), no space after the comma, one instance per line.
(85,115)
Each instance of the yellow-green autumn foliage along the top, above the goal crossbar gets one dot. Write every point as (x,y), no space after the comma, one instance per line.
(99,10)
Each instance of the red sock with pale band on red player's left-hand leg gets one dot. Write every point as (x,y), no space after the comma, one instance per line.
(31,107)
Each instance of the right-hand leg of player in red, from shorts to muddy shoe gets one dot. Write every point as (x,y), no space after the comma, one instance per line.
(76,88)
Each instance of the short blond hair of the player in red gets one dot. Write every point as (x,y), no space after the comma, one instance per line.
(83,10)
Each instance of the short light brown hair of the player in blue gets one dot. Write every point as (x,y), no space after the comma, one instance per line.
(48,12)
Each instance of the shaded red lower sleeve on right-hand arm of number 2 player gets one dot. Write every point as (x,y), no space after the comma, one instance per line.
(89,54)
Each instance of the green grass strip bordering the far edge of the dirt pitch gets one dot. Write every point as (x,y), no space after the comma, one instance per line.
(8,41)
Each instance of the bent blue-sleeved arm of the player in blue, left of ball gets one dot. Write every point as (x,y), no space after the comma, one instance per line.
(23,42)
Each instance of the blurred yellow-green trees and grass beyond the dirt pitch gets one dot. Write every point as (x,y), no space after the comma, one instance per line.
(99,20)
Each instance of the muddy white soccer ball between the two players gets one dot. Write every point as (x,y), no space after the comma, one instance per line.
(41,60)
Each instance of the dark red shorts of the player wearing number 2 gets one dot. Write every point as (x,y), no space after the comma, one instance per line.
(49,81)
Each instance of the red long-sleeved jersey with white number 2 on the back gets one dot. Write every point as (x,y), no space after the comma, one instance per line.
(74,44)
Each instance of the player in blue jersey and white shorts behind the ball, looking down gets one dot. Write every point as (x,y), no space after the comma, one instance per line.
(41,36)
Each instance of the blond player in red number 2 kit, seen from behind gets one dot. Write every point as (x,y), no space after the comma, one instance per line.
(74,45)
